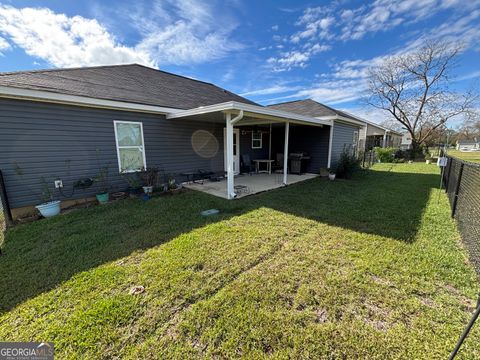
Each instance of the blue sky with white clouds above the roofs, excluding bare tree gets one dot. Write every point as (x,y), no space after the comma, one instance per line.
(268,51)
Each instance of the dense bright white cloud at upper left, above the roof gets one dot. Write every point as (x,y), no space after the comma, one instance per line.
(64,41)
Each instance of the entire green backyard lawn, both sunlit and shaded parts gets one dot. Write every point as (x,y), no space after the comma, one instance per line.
(366,268)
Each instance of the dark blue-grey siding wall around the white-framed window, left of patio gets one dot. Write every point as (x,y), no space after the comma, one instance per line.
(70,143)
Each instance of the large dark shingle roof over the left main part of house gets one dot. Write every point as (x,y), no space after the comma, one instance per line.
(129,83)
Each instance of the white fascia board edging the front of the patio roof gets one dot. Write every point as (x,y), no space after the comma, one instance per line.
(249,110)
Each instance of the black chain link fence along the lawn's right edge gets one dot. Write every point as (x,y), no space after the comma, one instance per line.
(462,184)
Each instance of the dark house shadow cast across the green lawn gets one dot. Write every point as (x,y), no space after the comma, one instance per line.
(39,256)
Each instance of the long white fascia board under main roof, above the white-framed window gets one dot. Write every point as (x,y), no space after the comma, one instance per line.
(51,97)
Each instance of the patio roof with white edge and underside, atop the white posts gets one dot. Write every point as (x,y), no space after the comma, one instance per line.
(252,114)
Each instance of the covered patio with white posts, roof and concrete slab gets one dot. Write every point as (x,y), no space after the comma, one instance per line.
(236,116)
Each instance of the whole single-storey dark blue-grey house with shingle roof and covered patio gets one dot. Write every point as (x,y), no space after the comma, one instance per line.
(67,124)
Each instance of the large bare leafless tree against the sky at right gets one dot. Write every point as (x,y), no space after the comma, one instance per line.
(414,89)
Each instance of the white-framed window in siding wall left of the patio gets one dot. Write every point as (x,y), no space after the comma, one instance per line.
(130,146)
